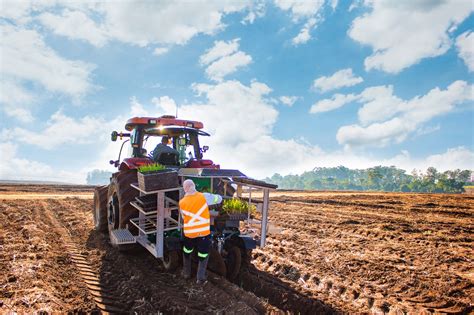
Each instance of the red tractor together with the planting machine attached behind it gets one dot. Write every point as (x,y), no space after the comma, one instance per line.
(139,209)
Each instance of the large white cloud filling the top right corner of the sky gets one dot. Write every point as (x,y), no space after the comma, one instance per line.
(401,33)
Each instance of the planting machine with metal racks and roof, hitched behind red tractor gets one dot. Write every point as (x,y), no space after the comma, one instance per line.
(158,227)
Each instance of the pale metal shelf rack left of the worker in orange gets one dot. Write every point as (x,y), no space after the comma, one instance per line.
(157,221)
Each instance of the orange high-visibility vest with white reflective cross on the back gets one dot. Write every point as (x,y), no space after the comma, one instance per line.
(196,215)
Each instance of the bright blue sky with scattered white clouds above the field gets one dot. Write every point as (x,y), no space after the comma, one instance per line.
(281,86)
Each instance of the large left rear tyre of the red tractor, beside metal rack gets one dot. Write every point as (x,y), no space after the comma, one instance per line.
(119,209)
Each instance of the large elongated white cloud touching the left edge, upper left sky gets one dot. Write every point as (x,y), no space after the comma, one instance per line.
(26,57)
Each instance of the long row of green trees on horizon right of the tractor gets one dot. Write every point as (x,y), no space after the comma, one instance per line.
(379,178)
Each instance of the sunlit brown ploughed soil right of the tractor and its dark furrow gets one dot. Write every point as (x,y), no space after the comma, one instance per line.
(375,252)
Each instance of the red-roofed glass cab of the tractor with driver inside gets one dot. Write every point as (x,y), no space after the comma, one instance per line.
(146,132)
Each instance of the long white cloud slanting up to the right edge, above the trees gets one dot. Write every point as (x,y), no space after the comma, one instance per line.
(408,116)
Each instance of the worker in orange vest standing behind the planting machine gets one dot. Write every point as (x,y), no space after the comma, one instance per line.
(196,227)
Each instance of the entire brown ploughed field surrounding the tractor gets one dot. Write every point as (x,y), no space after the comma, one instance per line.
(337,253)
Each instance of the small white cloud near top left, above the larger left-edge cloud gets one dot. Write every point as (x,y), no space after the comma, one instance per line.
(75,25)
